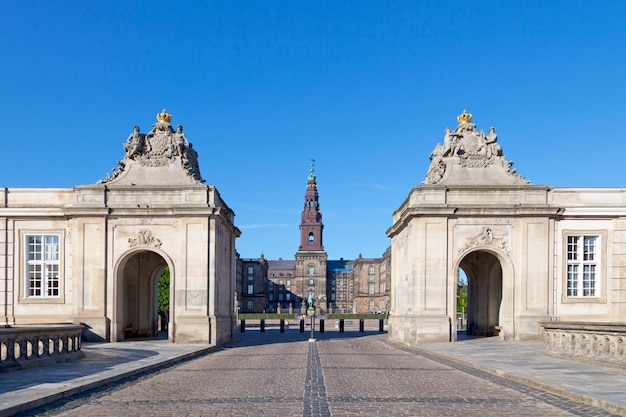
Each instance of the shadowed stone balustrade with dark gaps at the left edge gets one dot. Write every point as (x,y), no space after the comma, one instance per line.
(37,345)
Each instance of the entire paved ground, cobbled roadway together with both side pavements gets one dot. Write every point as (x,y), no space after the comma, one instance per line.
(339,374)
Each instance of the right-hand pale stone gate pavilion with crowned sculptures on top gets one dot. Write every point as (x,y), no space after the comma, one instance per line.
(533,254)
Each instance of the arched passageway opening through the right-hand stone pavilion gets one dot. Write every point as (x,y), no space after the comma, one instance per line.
(484,293)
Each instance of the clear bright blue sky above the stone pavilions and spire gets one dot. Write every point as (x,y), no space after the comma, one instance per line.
(261,87)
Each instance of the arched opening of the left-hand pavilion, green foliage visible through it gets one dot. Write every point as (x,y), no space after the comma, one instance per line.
(142,287)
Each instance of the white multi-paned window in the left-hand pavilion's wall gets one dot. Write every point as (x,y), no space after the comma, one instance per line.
(42,266)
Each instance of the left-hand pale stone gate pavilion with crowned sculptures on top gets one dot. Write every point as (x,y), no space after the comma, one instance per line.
(92,254)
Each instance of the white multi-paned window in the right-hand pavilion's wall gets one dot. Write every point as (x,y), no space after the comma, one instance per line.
(583,272)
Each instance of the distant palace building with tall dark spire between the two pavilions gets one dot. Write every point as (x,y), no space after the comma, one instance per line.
(359,286)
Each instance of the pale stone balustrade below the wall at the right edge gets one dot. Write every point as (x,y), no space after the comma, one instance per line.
(590,342)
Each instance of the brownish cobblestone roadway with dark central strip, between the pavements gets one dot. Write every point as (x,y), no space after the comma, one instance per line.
(350,374)
